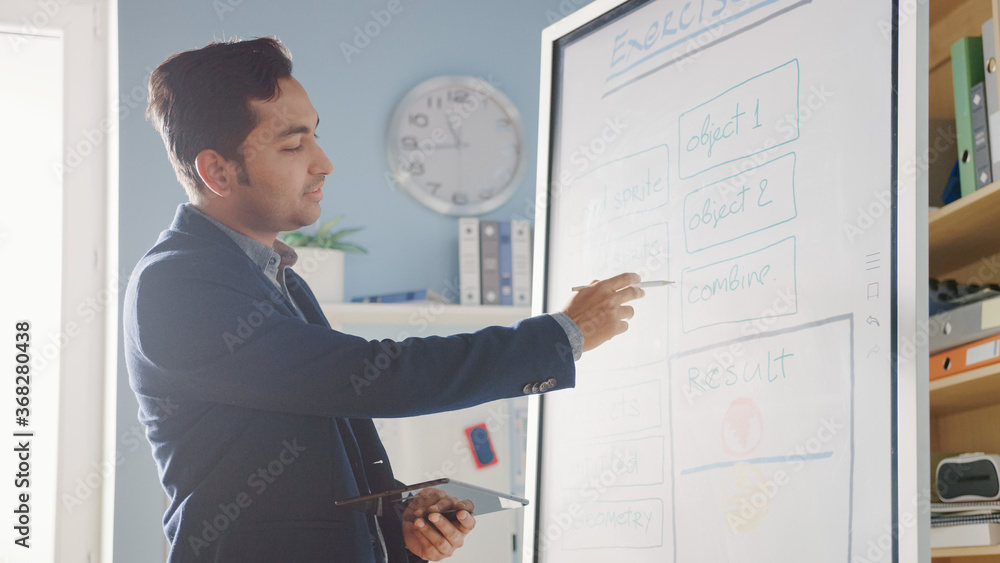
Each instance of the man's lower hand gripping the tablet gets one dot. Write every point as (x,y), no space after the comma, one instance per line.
(428,533)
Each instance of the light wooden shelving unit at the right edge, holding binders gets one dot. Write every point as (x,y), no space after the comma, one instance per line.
(964,244)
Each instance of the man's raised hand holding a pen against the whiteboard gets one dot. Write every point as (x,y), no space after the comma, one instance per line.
(599,311)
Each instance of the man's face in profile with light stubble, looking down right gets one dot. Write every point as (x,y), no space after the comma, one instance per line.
(284,167)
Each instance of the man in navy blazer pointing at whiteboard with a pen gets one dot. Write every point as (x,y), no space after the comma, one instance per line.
(251,402)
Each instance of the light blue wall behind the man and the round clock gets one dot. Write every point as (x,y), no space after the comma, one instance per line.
(409,246)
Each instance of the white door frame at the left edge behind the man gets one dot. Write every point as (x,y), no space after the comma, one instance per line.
(89,301)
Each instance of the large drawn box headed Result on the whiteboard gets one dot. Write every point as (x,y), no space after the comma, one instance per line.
(759,454)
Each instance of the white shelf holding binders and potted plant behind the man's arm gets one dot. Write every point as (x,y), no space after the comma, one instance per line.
(422,313)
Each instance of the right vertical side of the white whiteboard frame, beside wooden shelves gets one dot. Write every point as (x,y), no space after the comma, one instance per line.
(913,487)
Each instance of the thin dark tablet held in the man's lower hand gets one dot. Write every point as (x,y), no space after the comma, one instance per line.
(484,500)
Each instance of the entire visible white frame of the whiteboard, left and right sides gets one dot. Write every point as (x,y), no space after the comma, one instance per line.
(911,436)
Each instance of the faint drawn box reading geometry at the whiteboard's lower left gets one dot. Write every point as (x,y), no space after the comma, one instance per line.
(636,524)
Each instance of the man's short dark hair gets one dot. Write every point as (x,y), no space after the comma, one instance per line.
(200,100)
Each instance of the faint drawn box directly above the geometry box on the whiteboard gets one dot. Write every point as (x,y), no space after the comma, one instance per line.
(622,463)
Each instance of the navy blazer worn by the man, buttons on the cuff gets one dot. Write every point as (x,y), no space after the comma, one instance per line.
(258,421)
